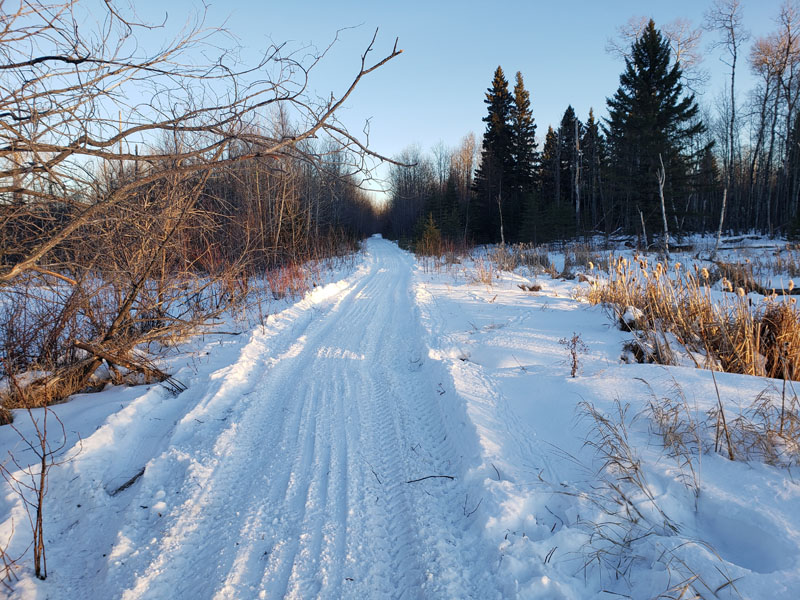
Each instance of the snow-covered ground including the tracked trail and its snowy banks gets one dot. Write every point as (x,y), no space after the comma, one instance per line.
(408,433)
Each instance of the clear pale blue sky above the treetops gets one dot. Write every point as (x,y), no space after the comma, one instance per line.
(434,91)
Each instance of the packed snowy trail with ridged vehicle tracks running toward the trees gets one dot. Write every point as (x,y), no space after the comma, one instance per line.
(298,487)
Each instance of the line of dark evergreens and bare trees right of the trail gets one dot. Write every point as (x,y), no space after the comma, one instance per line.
(658,164)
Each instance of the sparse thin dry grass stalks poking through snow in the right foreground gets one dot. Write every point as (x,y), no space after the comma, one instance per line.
(626,525)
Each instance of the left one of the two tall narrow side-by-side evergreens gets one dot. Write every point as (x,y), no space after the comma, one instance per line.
(494,177)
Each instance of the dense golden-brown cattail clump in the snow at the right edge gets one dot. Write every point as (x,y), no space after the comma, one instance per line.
(741,335)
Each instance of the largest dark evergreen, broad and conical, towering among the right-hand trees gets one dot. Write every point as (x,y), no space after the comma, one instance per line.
(650,121)
